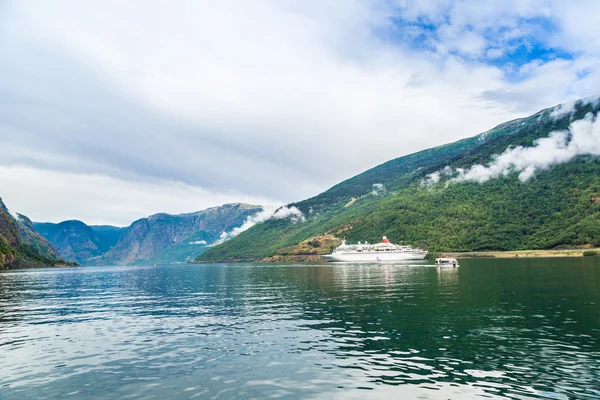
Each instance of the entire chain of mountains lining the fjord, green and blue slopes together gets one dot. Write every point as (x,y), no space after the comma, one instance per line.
(530,183)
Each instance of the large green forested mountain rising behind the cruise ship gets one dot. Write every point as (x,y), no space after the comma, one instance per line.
(530,183)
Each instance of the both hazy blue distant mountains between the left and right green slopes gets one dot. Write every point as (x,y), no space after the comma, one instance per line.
(160,238)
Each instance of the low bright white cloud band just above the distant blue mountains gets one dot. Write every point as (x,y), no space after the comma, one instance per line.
(97,199)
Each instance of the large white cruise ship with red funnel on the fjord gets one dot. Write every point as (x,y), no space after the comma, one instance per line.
(366,252)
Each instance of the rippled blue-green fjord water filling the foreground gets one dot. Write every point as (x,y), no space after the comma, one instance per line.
(493,328)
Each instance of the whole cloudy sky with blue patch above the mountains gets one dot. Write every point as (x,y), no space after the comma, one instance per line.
(117,110)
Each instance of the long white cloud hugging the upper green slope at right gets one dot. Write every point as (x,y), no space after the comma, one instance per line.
(582,138)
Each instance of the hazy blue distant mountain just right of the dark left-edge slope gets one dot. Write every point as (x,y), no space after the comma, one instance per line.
(78,242)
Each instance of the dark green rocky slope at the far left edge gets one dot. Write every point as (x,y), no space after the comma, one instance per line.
(20,245)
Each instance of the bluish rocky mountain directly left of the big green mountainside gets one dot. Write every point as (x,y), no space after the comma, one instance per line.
(166,238)
